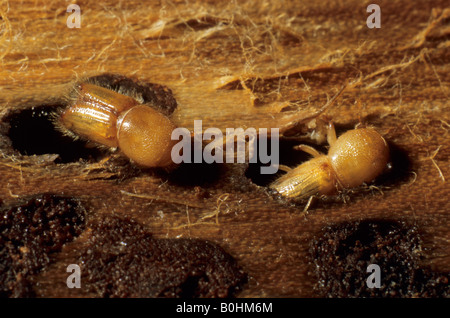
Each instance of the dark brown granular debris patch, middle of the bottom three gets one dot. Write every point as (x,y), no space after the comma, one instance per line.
(122,259)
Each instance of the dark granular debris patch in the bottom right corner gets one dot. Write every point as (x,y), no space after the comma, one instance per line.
(341,255)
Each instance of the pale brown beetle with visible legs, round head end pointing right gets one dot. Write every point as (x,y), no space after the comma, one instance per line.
(356,157)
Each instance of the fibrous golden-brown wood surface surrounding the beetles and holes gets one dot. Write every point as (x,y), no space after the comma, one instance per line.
(243,64)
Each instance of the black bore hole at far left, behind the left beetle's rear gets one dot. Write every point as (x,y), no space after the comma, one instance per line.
(32,132)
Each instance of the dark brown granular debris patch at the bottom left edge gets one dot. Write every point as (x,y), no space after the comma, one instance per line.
(30,232)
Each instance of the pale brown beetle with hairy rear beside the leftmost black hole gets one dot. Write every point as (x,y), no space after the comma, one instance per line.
(114,120)
